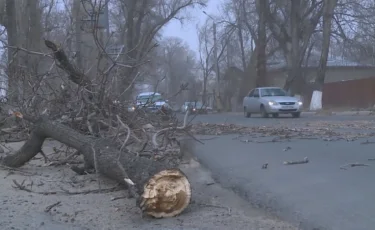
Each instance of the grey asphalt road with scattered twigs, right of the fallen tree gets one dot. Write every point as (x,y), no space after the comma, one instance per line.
(318,195)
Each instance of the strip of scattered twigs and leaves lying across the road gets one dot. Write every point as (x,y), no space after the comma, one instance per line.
(327,131)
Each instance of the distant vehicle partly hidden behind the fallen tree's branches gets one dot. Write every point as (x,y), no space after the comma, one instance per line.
(152,102)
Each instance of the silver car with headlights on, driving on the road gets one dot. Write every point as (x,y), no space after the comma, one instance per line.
(271,100)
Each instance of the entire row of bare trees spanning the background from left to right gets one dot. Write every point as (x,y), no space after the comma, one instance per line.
(250,34)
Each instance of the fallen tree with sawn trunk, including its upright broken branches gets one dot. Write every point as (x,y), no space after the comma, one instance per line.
(160,189)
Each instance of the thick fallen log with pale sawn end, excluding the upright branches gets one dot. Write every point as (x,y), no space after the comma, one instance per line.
(160,191)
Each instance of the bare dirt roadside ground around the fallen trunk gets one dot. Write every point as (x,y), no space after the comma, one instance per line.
(213,207)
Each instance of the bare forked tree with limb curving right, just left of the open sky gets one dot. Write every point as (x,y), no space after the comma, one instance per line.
(143,20)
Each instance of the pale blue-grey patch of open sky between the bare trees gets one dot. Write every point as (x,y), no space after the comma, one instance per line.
(187,31)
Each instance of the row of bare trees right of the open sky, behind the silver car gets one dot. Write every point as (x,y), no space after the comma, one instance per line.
(264,31)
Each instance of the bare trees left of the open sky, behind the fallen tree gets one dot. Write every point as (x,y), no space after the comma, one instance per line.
(131,52)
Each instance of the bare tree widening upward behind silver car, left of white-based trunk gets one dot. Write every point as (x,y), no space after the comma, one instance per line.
(292,25)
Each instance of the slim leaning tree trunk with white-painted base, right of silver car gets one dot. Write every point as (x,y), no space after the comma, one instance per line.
(316,99)
